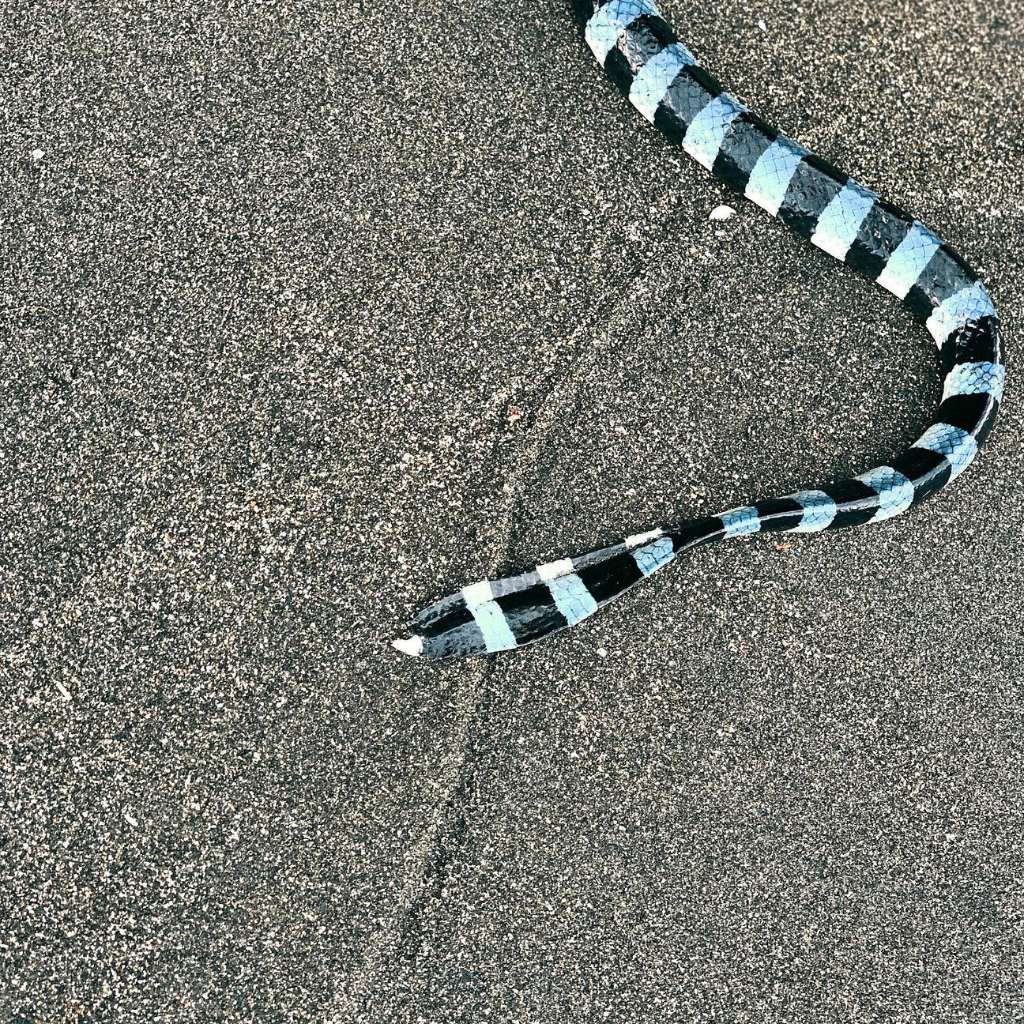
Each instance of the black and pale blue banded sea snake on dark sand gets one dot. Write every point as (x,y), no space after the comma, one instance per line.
(664,81)
